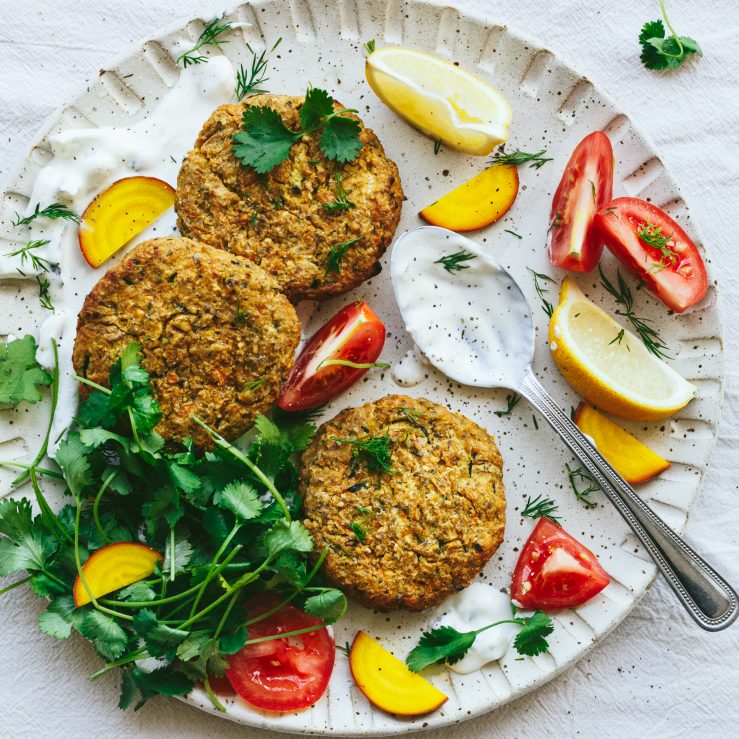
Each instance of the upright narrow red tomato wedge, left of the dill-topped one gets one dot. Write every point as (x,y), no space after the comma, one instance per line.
(586,186)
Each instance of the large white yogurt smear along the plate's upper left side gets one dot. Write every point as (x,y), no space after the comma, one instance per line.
(85,162)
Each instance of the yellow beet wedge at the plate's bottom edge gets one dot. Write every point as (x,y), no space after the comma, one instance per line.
(387,682)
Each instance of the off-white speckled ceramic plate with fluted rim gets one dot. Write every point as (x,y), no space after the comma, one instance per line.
(554,107)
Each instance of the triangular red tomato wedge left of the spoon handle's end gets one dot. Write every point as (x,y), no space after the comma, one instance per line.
(555,570)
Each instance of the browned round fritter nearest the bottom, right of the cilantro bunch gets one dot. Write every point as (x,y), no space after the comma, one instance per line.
(430,527)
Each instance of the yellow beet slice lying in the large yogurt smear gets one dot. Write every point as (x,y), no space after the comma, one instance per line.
(121,212)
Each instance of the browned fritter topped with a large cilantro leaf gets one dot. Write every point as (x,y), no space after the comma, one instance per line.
(279,220)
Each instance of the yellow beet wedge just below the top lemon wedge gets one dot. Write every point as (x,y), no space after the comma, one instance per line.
(478,202)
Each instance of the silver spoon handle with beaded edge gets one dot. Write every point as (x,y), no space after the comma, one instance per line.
(708,598)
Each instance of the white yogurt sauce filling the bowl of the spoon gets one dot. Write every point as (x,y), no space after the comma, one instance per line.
(473,324)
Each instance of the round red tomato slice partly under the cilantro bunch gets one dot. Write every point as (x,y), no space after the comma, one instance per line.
(282,674)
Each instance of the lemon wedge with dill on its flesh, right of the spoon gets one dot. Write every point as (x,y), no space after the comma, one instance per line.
(615,374)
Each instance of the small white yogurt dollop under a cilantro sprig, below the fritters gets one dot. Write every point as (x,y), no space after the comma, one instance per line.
(476,606)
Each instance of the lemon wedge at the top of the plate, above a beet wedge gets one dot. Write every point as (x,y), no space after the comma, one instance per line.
(443,101)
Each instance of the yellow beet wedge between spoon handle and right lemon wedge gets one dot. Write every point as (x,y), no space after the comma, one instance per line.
(634,461)
